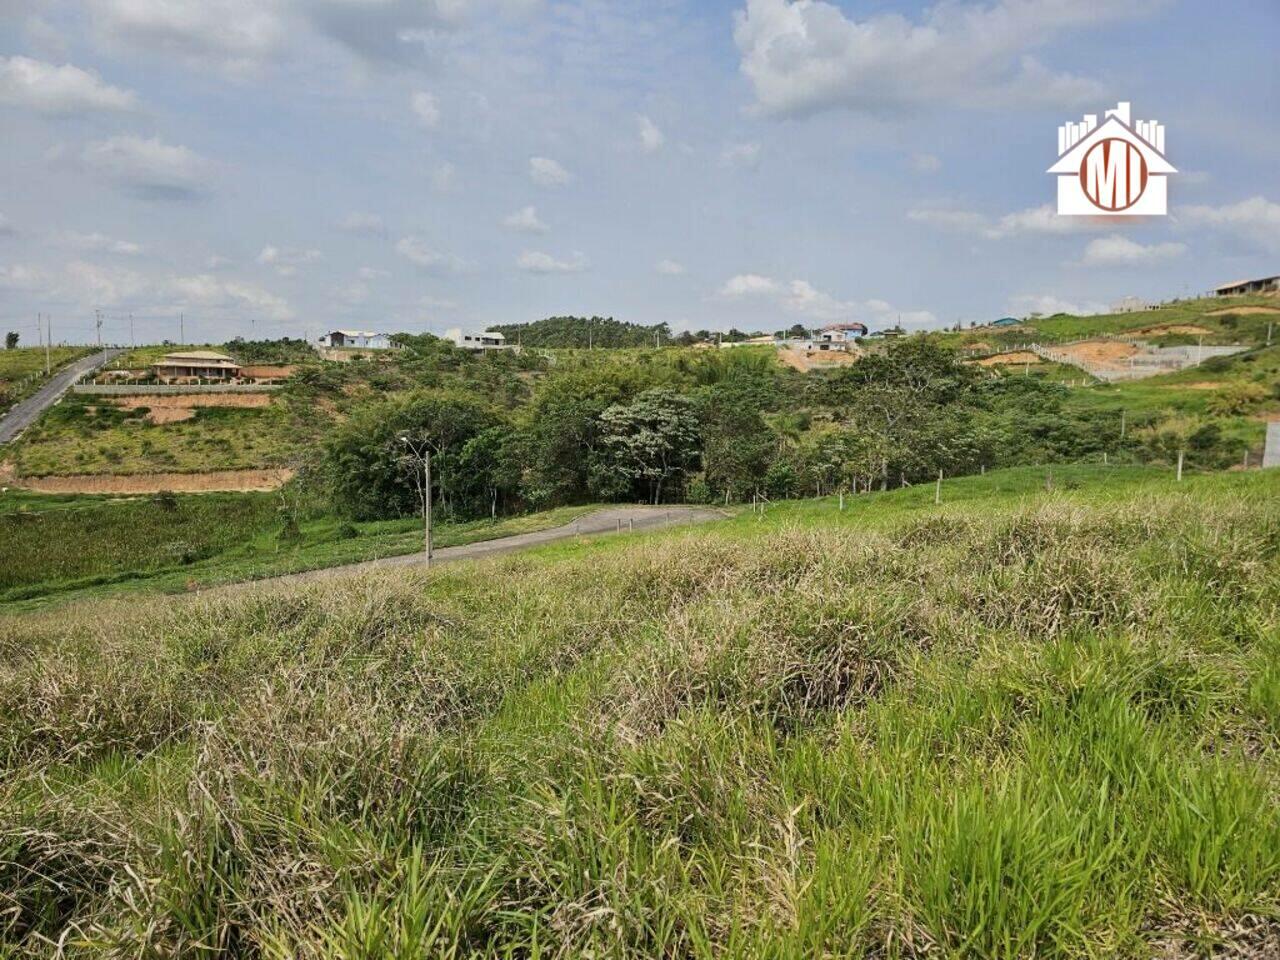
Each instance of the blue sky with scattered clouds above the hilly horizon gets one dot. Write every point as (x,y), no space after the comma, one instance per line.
(271,168)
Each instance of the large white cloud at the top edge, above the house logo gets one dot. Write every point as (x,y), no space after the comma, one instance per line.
(808,56)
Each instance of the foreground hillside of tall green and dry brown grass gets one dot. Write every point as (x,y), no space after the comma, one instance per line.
(1022,724)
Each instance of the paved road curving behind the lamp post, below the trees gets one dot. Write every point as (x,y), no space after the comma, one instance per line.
(602,522)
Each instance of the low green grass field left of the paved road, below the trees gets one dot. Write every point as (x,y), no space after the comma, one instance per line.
(71,548)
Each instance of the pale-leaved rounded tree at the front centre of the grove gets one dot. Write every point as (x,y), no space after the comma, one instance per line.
(653,440)
